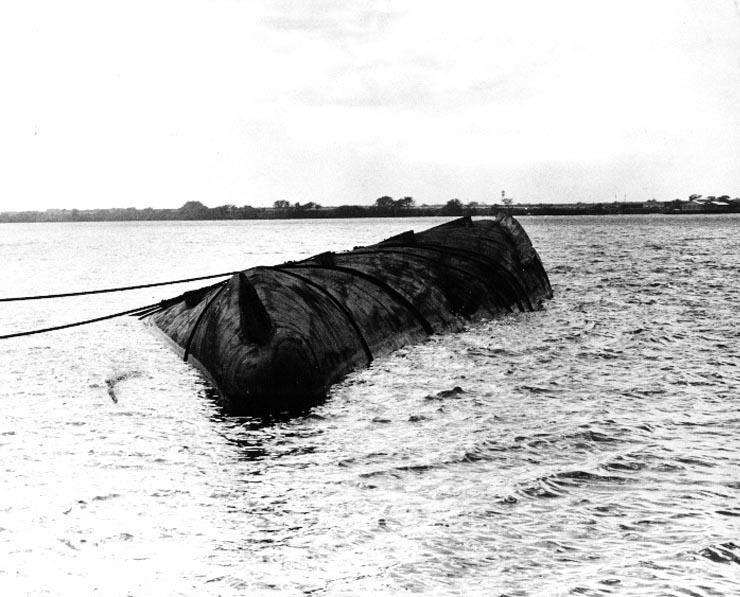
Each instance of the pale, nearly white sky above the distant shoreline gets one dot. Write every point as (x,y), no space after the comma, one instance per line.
(154,103)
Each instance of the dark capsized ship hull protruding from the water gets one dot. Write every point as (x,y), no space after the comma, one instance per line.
(274,338)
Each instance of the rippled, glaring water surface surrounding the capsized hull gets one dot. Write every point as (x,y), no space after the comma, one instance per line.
(593,449)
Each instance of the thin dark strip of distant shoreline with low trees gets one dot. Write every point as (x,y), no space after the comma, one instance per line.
(197,211)
